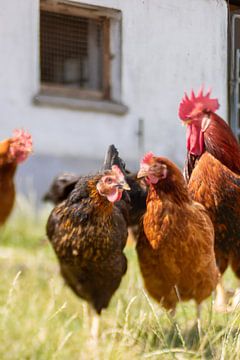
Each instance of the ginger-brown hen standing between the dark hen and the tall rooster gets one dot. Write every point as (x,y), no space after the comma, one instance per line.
(176,245)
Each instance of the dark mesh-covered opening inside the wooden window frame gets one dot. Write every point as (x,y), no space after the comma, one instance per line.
(71,51)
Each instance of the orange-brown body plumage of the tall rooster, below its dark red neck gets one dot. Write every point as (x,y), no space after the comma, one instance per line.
(218,188)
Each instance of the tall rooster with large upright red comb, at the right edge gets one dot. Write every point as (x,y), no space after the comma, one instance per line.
(212,170)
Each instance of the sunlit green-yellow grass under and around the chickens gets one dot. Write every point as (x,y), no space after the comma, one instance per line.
(40,318)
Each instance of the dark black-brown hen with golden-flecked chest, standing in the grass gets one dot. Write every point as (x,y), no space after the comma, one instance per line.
(88,233)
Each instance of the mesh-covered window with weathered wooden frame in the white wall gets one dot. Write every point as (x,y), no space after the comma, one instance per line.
(80,52)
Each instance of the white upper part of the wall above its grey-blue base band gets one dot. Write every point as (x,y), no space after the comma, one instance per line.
(168,47)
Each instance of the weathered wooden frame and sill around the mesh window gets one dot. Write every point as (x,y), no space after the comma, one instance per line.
(111,93)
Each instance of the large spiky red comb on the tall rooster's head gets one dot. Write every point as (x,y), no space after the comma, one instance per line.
(195,104)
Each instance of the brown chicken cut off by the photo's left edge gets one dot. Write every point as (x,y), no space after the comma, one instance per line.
(13,151)
